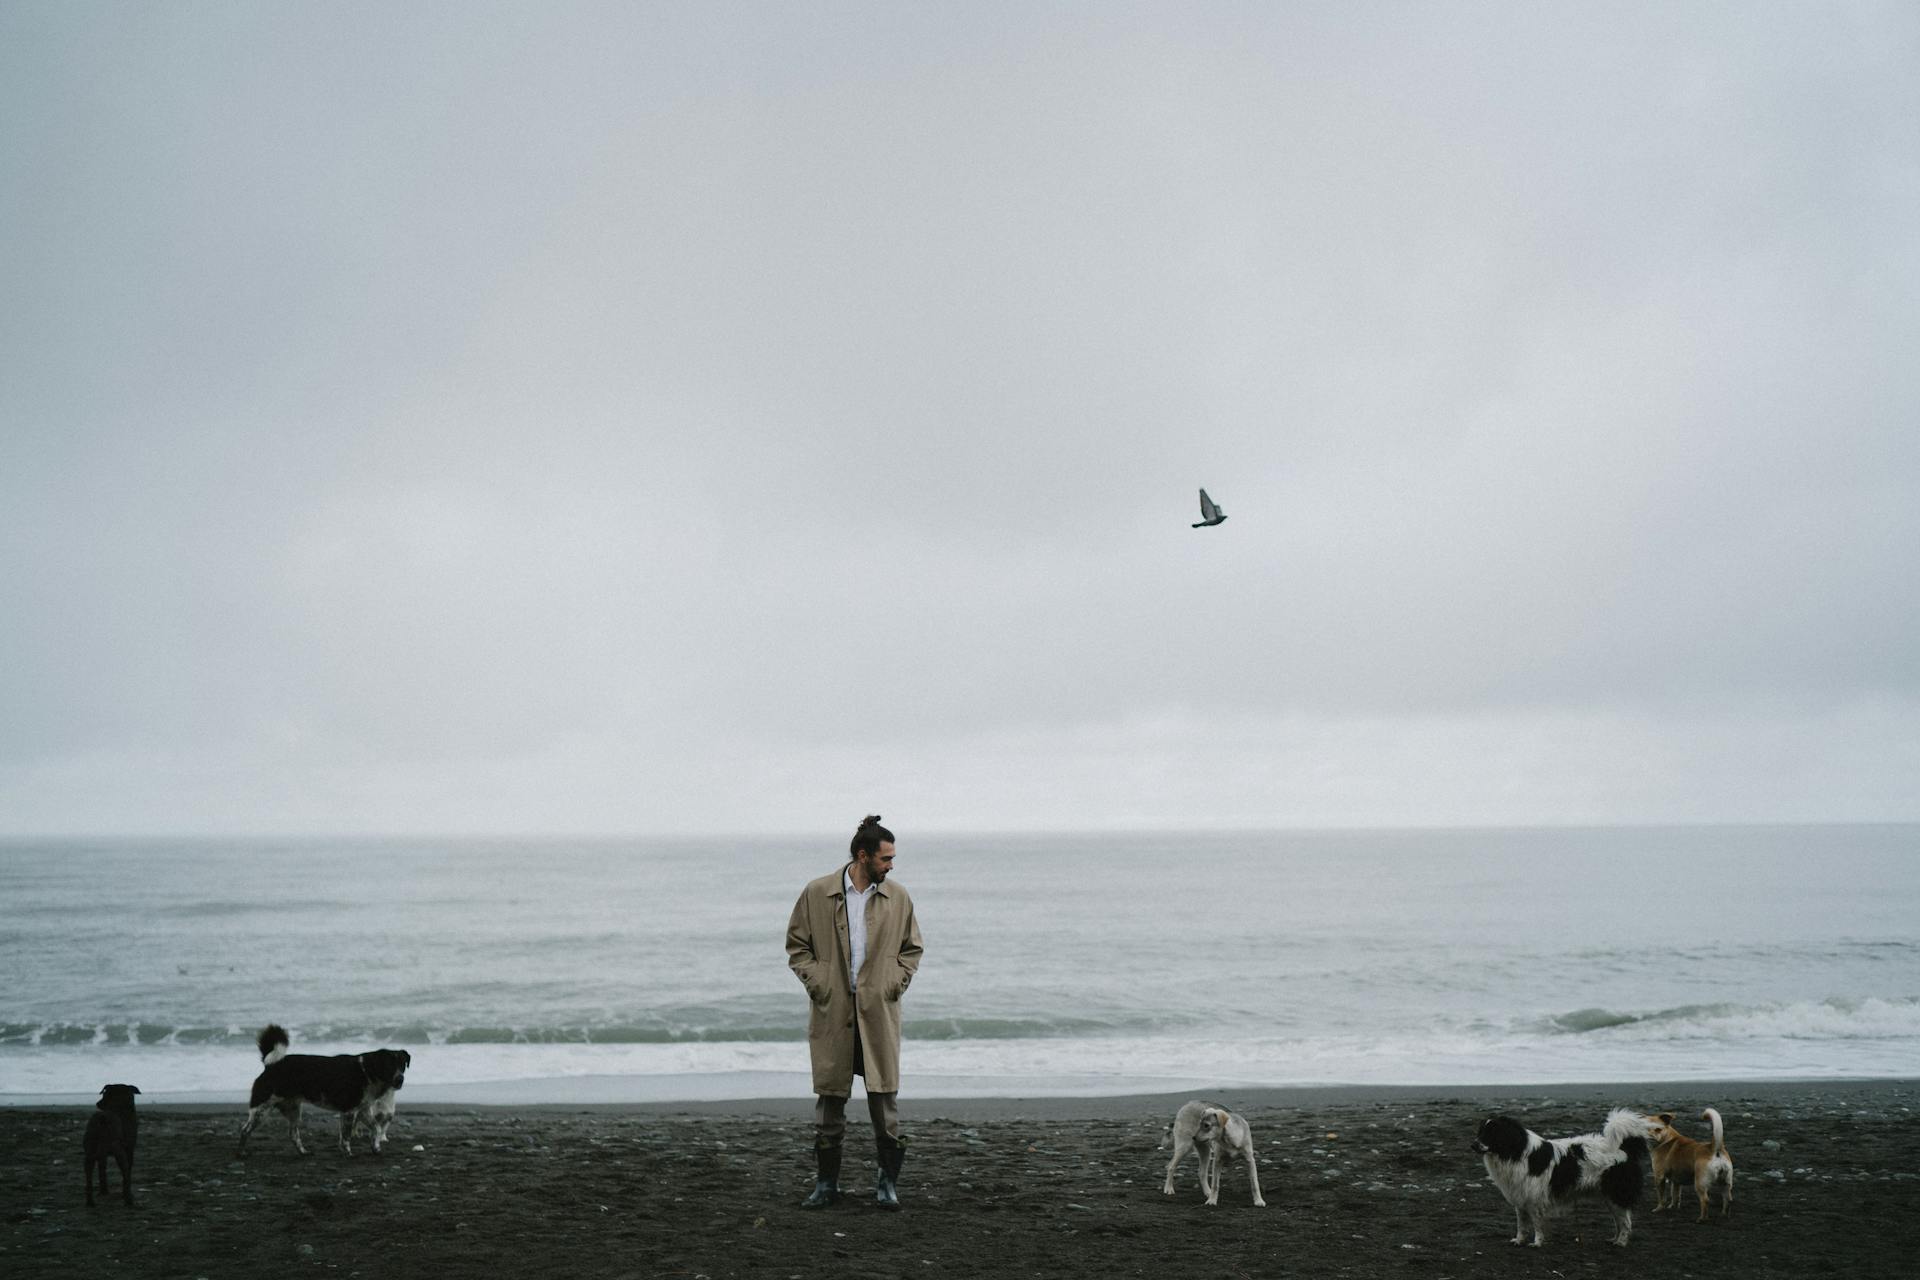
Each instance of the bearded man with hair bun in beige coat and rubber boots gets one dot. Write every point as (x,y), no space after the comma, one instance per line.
(855,947)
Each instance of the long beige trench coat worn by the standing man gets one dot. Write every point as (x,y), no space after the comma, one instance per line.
(819,951)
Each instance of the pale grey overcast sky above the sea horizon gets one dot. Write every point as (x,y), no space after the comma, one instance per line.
(660,419)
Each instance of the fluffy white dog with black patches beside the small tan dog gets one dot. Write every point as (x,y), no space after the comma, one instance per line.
(1543,1177)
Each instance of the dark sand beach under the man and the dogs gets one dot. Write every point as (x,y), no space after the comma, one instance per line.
(1358,1183)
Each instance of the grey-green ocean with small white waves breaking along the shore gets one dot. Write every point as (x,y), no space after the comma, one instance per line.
(1057,964)
